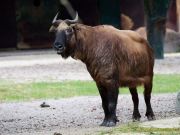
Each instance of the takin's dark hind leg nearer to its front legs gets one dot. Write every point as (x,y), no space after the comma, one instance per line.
(136,115)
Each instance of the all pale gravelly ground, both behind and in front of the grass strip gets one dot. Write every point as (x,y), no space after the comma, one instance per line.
(74,116)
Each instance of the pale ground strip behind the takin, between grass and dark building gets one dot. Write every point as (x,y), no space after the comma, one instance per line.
(48,66)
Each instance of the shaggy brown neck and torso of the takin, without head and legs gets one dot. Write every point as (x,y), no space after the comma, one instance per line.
(113,55)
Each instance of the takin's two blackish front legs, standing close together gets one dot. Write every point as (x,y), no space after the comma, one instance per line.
(109,98)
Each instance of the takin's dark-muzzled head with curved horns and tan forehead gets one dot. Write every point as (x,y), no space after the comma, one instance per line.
(64,31)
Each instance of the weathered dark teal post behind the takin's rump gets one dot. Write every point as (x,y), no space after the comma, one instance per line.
(156,12)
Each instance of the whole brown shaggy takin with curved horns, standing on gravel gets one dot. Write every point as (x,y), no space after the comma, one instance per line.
(114,58)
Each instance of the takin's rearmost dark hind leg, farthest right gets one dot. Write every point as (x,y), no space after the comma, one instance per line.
(147,96)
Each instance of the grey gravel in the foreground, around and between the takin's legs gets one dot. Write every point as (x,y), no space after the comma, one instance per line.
(74,115)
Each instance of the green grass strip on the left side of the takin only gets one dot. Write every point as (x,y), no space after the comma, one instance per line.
(46,90)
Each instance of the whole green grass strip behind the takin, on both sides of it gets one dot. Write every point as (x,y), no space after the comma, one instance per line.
(10,91)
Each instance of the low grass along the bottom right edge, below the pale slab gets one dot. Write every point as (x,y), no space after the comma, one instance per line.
(135,128)
